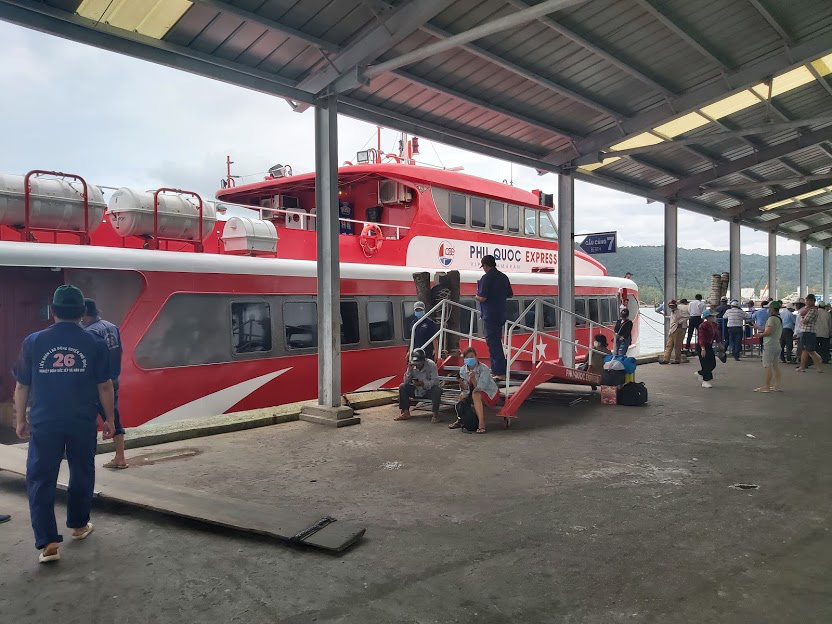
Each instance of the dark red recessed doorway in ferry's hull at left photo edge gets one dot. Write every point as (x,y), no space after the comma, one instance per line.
(25,295)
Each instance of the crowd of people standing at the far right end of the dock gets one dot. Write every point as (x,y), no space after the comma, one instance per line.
(777,330)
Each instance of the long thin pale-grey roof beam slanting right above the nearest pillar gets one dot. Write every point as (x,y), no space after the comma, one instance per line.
(500,24)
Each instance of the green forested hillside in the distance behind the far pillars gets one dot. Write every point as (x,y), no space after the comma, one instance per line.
(696,266)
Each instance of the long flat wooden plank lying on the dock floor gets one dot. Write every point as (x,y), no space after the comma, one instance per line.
(240,515)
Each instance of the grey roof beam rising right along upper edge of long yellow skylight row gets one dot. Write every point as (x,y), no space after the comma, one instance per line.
(738,80)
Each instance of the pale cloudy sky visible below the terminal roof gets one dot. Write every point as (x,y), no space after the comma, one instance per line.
(123,122)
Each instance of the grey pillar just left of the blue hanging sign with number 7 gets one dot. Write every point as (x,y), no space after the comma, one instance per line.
(566,264)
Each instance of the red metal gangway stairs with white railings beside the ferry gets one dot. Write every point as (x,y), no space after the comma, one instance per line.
(528,363)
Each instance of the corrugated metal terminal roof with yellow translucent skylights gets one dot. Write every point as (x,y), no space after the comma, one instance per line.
(722,107)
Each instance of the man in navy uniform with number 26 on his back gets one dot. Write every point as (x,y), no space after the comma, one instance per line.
(64,373)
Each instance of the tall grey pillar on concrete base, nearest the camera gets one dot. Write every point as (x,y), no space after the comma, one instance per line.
(329,410)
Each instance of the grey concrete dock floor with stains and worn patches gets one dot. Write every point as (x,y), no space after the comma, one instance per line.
(590,514)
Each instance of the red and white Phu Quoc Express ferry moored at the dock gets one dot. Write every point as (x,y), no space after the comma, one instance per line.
(216,300)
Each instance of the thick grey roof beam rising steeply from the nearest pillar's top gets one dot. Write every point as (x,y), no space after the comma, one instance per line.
(377,39)
